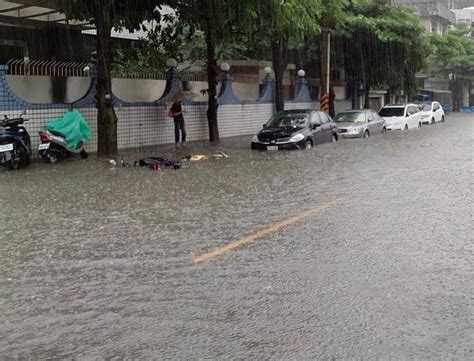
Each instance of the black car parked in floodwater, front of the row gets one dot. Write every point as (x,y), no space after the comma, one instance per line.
(296,129)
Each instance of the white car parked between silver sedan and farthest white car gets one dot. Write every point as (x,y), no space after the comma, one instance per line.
(401,116)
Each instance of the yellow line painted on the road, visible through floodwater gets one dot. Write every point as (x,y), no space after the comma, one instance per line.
(262,233)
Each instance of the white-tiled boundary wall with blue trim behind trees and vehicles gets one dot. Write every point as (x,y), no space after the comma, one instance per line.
(143,124)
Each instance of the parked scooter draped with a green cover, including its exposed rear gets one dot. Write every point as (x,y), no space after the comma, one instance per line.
(64,137)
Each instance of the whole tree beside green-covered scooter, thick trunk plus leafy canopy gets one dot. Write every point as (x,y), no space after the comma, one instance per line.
(106,15)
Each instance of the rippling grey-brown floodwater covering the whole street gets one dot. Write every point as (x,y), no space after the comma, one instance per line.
(100,262)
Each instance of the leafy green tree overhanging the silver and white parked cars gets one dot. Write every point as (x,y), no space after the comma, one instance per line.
(383,45)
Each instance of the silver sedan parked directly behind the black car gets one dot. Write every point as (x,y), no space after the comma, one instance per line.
(359,123)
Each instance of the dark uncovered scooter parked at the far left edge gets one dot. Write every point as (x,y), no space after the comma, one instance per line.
(15,143)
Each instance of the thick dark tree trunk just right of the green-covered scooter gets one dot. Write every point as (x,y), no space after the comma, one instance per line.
(106,117)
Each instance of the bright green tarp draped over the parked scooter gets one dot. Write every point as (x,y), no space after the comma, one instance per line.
(73,126)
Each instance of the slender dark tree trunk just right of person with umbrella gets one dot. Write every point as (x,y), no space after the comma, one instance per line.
(212,92)
